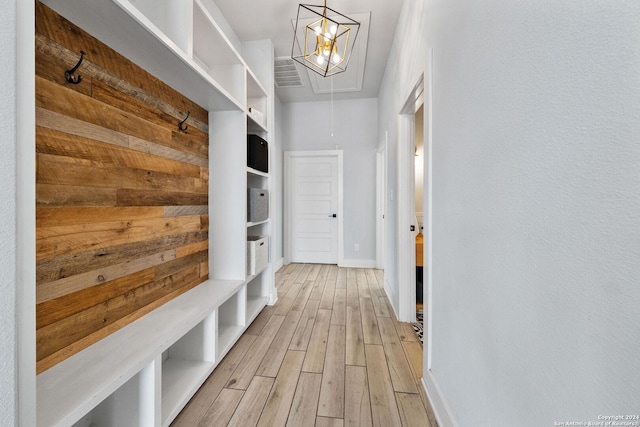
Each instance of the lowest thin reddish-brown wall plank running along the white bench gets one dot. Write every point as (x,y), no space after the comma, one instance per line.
(64,353)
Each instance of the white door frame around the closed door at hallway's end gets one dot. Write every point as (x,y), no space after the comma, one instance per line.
(288,236)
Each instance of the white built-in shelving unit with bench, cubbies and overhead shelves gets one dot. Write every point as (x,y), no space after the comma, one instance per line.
(144,374)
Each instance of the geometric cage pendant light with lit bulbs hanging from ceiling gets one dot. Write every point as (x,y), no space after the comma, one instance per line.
(323,39)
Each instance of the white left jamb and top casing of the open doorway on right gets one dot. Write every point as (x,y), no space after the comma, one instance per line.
(406,204)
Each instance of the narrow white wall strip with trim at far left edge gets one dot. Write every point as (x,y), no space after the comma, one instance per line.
(17,215)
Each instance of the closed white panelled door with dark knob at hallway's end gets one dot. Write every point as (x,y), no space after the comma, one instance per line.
(314,205)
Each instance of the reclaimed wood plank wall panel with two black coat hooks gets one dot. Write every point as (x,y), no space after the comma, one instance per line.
(121,192)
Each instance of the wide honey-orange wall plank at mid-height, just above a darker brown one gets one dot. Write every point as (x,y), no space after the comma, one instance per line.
(63,240)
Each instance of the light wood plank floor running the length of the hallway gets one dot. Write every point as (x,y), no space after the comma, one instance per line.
(329,353)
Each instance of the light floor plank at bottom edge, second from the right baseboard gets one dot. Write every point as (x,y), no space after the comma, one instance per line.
(384,409)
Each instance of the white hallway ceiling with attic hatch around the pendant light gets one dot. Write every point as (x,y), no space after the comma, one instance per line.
(272,19)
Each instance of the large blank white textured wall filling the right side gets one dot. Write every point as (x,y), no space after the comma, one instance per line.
(536,205)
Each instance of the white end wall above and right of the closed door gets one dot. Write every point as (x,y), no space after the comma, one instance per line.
(307,126)
